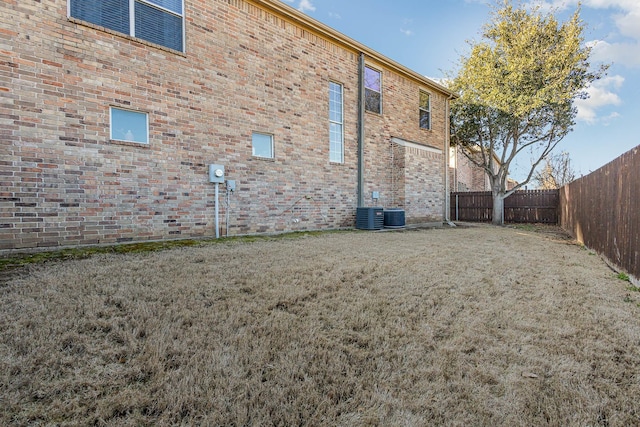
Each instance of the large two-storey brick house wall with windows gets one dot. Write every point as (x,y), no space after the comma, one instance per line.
(112,111)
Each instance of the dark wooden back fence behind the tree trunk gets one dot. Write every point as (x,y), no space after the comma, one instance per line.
(532,206)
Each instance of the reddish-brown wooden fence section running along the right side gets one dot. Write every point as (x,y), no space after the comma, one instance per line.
(602,211)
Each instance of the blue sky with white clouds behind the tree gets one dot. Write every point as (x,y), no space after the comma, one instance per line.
(429,36)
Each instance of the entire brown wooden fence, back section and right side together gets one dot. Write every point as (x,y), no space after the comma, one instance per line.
(601,210)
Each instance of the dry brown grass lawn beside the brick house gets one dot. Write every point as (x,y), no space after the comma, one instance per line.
(466,326)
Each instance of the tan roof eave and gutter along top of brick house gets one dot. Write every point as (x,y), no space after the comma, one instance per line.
(326,32)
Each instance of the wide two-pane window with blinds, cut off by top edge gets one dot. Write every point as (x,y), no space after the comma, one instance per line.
(157,21)
